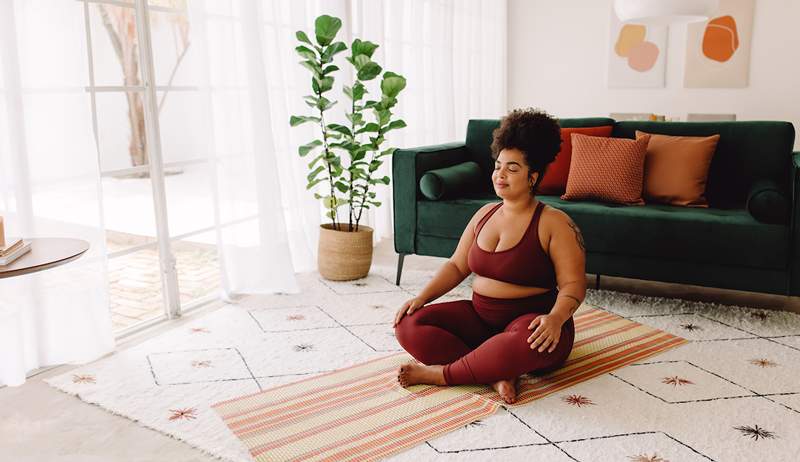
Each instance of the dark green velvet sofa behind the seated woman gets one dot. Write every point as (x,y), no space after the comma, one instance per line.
(721,246)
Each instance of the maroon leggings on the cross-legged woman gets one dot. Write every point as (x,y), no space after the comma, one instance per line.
(483,340)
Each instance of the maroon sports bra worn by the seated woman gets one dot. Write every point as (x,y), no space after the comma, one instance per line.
(525,264)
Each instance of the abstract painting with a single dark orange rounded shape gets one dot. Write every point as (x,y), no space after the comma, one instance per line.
(718,50)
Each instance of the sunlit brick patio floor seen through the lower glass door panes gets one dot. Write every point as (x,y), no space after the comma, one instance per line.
(135,283)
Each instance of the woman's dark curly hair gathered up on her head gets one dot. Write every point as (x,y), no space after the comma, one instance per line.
(532,131)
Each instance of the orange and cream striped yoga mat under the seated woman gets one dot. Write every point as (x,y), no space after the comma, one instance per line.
(361,412)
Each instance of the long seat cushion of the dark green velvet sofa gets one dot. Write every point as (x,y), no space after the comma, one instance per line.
(705,235)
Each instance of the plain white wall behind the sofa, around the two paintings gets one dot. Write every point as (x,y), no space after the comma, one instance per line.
(558,50)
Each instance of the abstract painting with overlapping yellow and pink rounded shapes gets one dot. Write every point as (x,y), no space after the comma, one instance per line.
(637,54)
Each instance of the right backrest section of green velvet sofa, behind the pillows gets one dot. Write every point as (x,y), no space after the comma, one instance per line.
(747,151)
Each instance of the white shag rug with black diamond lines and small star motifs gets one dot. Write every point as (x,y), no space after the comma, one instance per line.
(732,393)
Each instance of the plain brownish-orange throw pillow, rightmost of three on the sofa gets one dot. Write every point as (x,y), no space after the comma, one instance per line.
(676,168)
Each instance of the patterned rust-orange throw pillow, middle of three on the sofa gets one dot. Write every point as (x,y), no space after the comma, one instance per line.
(606,169)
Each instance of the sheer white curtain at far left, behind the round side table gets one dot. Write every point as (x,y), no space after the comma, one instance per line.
(49,187)
